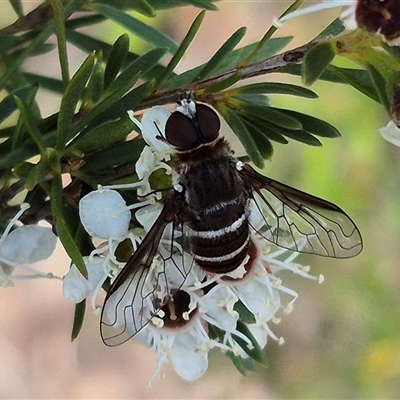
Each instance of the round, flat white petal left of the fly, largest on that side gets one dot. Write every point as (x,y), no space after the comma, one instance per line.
(104,214)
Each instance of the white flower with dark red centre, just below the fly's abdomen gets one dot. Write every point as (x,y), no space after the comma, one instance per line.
(181,337)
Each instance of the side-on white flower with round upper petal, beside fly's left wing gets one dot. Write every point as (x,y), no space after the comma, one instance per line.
(104,214)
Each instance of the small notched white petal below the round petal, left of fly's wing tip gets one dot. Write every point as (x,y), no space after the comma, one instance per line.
(75,287)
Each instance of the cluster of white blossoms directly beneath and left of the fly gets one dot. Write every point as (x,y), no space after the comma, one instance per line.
(206,302)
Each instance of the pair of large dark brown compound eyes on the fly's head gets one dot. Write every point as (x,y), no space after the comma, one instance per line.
(186,133)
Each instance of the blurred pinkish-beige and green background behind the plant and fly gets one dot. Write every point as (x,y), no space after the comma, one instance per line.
(342,339)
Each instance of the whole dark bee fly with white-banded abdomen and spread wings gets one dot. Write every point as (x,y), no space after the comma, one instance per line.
(218,209)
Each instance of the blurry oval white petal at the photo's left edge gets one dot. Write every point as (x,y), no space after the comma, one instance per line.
(28,244)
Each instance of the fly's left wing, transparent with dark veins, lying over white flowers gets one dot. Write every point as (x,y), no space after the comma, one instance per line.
(156,269)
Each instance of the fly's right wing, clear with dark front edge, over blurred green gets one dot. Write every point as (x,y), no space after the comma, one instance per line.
(299,221)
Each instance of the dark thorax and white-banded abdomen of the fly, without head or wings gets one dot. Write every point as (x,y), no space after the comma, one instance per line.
(215,197)
